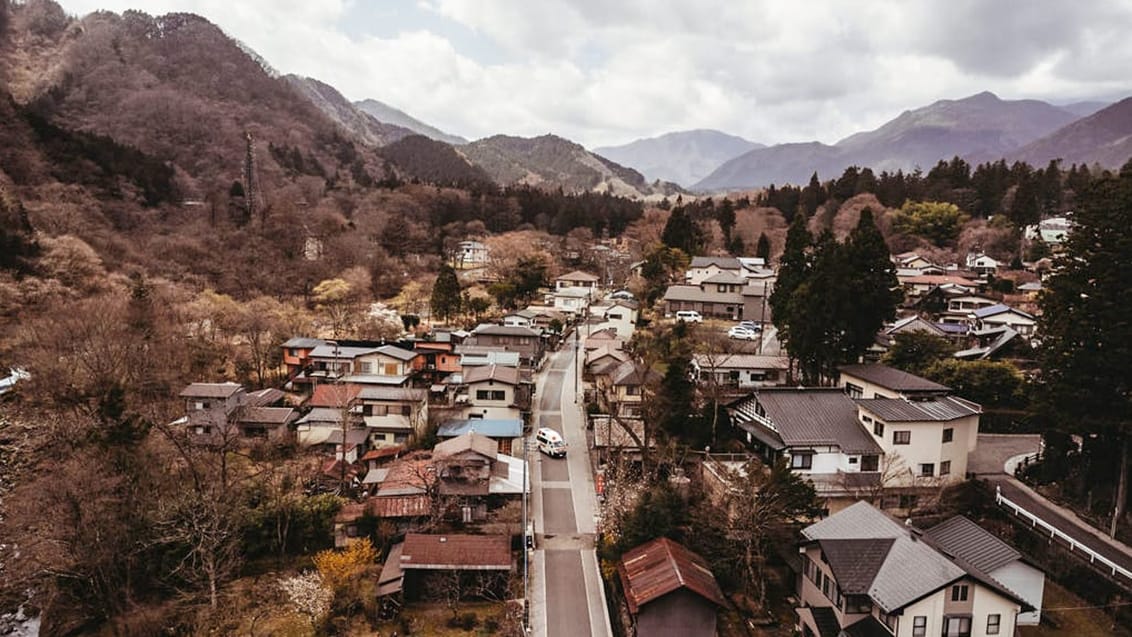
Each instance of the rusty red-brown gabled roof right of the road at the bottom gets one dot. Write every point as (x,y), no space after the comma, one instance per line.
(657,569)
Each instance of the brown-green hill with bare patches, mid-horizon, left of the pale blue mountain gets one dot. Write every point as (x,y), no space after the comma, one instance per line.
(551,162)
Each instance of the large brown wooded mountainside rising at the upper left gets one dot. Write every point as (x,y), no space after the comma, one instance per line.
(177,89)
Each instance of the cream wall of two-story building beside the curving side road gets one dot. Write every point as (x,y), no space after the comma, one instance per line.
(927,446)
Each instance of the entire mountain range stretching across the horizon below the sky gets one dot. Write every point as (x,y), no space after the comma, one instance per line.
(176,88)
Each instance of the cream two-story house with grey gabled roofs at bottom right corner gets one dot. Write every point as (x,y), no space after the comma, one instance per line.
(864,573)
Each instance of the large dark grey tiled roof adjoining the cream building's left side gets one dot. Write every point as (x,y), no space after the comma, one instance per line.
(817,417)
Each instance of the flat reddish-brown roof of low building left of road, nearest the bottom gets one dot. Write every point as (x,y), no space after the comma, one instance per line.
(456,552)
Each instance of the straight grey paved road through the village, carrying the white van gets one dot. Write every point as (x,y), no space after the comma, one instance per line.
(568,598)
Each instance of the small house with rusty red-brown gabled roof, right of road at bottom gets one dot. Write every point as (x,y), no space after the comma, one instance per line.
(670,591)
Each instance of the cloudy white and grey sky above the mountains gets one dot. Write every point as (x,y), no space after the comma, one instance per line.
(610,72)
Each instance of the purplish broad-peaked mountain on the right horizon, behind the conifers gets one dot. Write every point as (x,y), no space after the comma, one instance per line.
(981,128)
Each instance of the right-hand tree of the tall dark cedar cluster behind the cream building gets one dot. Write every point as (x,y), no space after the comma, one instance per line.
(874,291)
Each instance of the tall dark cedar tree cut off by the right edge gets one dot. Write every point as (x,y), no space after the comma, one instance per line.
(1086,333)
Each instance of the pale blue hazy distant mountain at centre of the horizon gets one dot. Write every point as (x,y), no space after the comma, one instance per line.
(683,158)
